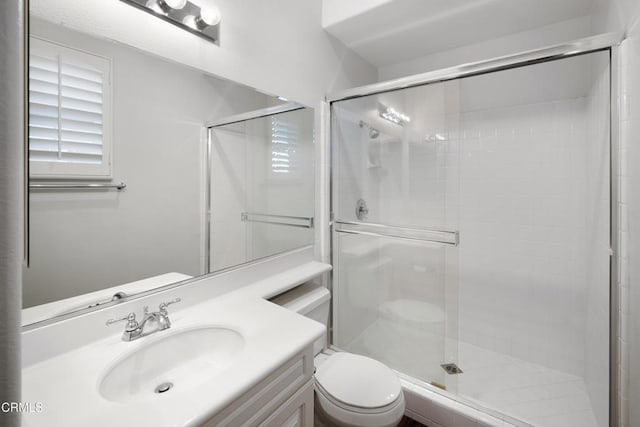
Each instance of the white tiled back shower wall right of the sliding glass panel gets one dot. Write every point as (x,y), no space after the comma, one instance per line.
(523,198)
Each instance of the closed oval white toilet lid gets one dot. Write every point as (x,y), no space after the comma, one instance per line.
(358,381)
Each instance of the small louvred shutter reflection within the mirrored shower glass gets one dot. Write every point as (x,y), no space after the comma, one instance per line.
(285,137)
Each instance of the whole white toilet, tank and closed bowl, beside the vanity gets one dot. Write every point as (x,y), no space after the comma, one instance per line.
(350,390)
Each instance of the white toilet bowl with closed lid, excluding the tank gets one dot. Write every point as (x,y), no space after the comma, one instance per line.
(357,390)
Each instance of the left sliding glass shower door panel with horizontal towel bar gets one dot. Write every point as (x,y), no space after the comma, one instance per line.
(395,230)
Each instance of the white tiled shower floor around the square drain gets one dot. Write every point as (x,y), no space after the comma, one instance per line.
(532,393)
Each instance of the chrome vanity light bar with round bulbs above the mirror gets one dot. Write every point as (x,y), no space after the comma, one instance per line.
(199,20)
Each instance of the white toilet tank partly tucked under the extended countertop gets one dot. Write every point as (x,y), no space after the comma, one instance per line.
(310,300)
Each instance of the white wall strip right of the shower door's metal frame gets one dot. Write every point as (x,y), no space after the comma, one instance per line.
(624,15)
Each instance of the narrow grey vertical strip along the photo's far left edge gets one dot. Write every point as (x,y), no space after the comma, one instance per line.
(11,219)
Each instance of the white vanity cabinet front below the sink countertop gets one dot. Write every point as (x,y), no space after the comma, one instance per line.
(283,398)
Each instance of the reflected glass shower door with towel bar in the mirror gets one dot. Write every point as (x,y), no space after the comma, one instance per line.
(261,186)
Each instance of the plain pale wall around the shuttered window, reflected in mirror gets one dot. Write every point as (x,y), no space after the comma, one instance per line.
(85,241)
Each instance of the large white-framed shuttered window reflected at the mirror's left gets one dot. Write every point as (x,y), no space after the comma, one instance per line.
(69,112)
